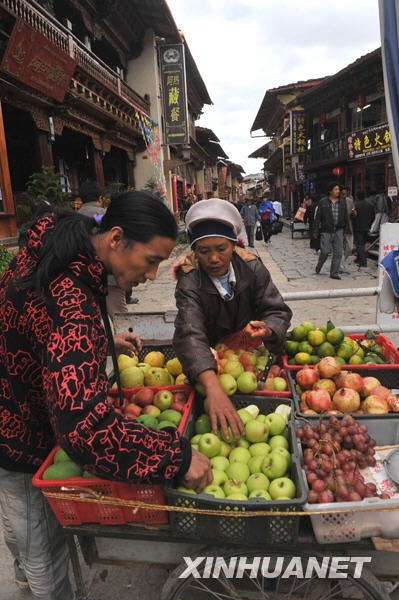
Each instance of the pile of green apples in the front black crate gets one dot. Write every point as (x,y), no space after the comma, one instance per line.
(254,466)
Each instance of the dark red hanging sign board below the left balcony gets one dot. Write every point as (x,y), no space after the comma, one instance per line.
(32,59)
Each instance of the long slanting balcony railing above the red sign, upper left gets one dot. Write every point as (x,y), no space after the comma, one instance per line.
(62,37)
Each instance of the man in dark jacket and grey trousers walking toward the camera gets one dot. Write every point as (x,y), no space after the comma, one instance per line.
(331,223)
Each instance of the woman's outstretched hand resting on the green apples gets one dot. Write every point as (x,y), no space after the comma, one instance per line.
(221,411)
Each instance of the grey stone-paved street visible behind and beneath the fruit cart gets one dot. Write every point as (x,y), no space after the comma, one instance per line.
(291,263)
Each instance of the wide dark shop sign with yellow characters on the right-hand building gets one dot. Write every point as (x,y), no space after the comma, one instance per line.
(369,142)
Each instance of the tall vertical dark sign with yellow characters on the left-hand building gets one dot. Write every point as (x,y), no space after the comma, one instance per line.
(174,93)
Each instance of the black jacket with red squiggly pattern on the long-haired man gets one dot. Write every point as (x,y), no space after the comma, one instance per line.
(53,382)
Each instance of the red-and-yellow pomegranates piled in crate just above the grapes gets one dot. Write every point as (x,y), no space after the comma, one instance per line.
(326,388)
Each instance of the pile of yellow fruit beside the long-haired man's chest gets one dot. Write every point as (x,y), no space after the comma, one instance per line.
(152,371)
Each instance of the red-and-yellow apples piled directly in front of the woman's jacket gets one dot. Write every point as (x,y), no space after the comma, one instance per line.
(239,370)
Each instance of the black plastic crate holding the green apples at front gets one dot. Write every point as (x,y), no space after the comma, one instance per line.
(279,530)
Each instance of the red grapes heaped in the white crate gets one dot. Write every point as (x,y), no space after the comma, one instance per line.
(334,453)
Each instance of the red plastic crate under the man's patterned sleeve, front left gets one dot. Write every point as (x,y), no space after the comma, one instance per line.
(74,512)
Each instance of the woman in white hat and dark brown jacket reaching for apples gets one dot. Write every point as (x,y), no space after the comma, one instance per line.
(220,290)
